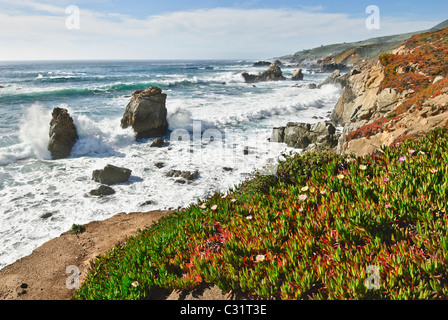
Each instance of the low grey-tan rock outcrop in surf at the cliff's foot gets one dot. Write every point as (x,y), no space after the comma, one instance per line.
(305,135)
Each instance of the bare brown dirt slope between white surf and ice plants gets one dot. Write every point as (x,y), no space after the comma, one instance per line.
(42,275)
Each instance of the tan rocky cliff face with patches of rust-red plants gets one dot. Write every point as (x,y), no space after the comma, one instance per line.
(402,94)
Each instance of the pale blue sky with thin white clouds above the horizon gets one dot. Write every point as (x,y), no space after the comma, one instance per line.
(198,29)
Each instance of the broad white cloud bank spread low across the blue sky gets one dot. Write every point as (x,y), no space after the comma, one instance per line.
(201,33)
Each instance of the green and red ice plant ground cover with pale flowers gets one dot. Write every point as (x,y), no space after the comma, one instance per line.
(313,231)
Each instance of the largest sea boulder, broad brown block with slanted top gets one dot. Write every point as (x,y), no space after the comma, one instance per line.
(146,113)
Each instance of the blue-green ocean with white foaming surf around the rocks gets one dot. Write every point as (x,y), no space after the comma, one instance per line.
(41,198)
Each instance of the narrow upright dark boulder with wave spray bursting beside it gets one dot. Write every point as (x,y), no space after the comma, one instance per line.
(63,134)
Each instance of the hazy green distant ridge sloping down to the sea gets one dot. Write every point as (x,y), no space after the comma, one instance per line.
(351,52)
